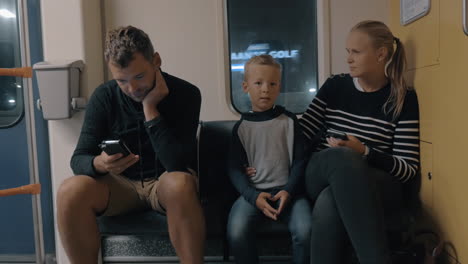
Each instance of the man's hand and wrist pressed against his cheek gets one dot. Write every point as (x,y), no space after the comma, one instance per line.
(155,96)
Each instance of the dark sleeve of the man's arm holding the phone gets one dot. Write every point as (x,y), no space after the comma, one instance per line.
(92,133)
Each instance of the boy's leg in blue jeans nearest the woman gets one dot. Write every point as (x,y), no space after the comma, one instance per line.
(299,218)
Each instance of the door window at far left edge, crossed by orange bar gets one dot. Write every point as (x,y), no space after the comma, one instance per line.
(11,92)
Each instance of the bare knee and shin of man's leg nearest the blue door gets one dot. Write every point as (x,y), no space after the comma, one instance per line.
(79,199)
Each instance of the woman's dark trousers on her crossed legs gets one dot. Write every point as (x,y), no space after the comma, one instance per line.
(350,198)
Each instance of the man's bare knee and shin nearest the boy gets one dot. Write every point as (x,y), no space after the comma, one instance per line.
(177,193)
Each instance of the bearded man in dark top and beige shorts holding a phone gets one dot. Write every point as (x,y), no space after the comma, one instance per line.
(156,115)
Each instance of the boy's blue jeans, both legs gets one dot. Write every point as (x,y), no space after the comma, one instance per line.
(244,218)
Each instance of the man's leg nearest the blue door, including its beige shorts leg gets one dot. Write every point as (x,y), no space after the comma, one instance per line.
(80,199)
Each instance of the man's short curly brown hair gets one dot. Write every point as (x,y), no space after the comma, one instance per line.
(122,43)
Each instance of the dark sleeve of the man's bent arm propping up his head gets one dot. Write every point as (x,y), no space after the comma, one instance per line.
(176,147)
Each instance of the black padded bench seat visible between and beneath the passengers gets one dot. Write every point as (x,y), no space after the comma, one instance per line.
(217,196)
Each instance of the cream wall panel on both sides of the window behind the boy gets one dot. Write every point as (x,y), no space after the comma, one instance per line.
(190,38)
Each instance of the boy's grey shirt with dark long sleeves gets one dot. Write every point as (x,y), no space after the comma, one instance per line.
(273,143)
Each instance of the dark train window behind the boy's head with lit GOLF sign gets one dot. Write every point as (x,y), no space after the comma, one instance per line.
(287,30)
